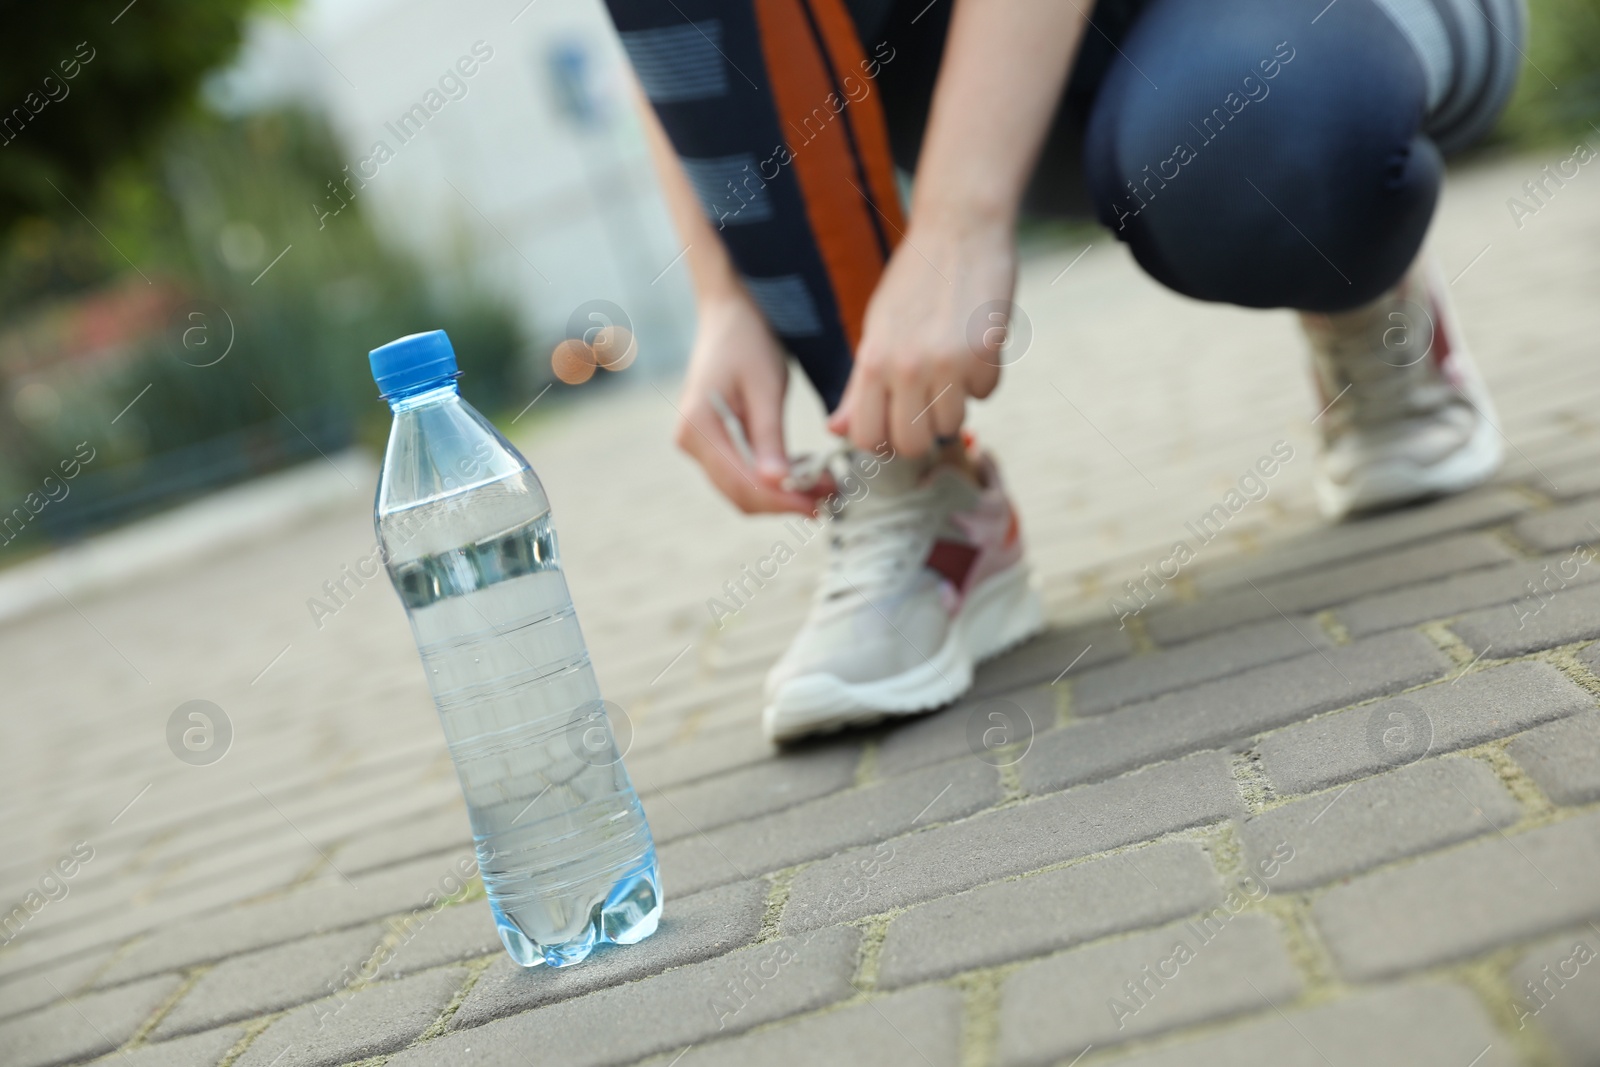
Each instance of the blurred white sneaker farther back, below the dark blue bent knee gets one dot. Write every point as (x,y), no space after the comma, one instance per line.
(1407,415)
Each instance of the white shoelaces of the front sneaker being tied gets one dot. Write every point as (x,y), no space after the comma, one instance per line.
(878,538)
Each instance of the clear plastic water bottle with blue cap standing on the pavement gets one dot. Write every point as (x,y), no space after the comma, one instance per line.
(562,841)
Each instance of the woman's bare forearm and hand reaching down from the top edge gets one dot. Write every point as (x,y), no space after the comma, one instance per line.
(932,338)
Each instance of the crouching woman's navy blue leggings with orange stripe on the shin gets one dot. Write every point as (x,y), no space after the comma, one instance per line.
(1260,153)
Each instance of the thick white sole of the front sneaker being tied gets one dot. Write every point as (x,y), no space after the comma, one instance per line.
(1001,613)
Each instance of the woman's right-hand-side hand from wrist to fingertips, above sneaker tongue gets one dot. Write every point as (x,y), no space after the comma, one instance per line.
(932,337)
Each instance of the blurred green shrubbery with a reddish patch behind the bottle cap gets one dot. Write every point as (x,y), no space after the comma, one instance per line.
(186,241)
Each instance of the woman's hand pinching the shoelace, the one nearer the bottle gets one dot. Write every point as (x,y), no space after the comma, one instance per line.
(737,359)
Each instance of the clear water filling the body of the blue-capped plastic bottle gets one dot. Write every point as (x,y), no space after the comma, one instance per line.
(562,841)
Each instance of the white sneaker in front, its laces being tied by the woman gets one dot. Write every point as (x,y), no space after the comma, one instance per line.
(926,580)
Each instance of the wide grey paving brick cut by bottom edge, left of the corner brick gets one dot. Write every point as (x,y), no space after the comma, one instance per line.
(1399,1026)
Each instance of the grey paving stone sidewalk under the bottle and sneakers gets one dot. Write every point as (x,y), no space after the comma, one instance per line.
(1334,799)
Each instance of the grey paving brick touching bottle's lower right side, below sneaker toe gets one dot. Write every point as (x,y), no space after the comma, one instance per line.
(754,791)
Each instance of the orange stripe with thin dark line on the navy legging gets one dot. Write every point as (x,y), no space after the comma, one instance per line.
(814,116)
